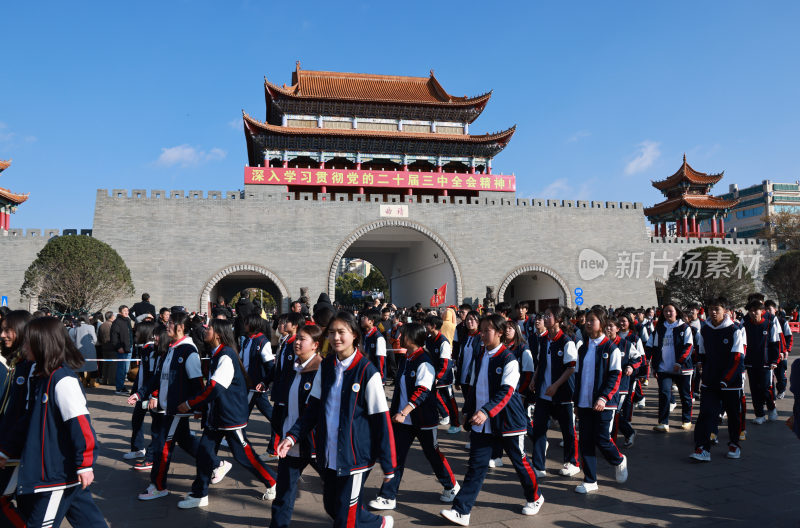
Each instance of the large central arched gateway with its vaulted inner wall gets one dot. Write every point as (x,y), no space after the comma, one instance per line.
(414,260)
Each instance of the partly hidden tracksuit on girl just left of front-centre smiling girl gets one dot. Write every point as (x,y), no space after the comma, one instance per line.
(289,407)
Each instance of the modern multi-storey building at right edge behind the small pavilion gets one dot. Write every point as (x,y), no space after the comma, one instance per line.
(746,219)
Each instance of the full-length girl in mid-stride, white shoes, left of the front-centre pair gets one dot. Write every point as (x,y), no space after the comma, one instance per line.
(225,400)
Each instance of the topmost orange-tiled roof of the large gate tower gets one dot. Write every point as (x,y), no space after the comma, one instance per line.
(368,87)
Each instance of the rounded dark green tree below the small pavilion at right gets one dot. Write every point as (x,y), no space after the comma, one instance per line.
(708,272)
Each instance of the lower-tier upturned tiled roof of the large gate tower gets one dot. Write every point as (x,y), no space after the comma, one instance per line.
(253,125)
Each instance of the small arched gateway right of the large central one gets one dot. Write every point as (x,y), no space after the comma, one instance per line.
(539,285)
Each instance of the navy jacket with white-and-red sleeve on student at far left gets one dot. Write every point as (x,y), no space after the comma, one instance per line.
(60,440)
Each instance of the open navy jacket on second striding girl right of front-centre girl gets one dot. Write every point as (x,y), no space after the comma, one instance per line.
(505,409)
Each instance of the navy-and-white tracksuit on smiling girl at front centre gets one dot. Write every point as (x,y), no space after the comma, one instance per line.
(348,412)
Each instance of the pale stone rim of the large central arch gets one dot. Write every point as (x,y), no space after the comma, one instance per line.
(423,233)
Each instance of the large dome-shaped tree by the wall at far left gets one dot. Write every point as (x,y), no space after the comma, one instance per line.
(77,273)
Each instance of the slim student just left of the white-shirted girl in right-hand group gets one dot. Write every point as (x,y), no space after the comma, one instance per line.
(633,358)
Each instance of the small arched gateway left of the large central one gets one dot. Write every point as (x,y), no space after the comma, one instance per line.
(229,281)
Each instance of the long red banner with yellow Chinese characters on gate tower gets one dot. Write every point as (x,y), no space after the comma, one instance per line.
(373,179)
